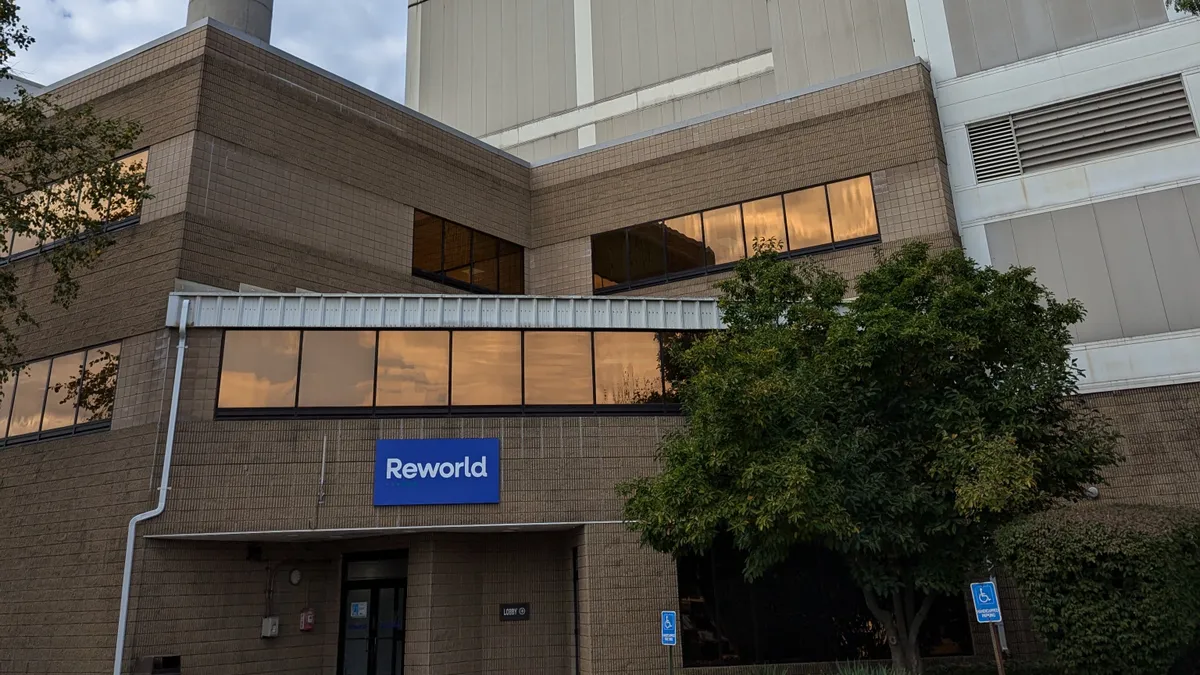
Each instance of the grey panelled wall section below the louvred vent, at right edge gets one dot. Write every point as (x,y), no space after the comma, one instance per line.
(1133,262)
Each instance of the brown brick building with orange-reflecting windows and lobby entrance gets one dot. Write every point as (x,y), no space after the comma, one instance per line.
(355,272)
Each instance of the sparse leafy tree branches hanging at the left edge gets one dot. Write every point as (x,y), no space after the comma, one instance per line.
(58,184)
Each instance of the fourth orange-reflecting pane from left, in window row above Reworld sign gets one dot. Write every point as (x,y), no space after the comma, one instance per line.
(487,367)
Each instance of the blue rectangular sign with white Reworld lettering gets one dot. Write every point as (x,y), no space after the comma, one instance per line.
(440,471)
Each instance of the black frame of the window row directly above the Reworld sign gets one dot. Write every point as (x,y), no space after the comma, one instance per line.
(665,407)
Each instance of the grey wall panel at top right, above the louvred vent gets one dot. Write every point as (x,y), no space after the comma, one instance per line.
(986,34)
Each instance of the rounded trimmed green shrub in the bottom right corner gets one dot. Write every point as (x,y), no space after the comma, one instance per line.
(1112,589)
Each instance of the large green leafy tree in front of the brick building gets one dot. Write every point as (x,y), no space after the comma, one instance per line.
(898,431)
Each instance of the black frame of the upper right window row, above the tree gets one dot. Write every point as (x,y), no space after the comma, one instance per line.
(713,270)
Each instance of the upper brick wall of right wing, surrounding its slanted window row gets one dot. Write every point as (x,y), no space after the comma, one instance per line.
(808,140)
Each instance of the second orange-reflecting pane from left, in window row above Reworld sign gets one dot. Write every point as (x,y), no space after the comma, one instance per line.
(338,369)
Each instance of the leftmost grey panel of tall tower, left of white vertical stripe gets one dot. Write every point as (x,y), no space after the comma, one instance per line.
(487,65)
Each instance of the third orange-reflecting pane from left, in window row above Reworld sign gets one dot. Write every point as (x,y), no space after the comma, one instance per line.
(415,368)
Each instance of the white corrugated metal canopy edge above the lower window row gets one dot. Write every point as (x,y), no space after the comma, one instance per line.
(280,310)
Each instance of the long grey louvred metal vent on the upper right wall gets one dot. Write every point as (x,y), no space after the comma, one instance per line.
(1073,132)
